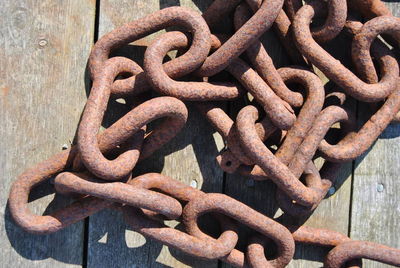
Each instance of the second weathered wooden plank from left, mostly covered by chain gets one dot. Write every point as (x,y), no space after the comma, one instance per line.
(188,158)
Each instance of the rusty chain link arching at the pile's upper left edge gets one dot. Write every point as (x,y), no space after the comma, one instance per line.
(130,32)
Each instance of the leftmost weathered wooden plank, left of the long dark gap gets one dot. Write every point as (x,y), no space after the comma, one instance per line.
(43,50)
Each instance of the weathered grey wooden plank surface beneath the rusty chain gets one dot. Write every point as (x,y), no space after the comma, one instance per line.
(44,46)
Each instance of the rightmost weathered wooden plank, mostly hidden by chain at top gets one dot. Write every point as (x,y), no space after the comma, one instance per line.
(375,202)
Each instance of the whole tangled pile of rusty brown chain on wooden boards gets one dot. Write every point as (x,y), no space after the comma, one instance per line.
(294,123)
